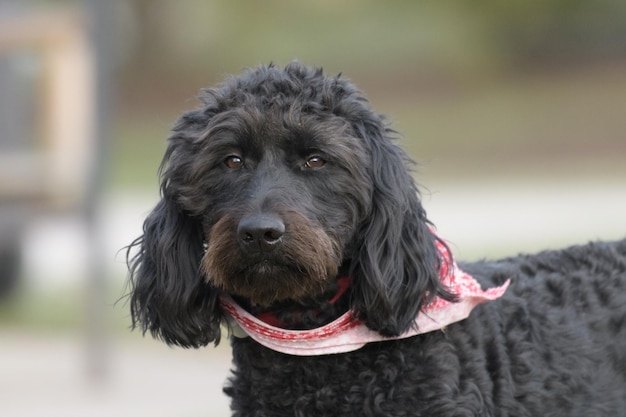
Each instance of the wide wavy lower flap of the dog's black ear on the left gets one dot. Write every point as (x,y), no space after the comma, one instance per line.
(169,297)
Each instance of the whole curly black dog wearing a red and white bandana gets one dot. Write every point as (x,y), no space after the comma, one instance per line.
(285,201)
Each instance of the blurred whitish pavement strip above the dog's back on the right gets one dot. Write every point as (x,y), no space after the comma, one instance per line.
(496,219)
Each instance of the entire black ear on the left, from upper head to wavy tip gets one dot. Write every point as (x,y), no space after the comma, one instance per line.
(168,293)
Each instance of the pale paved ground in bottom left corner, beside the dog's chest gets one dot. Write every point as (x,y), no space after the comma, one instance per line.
(44,375)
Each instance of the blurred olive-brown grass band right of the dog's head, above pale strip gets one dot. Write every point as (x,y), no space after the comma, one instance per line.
(551,115)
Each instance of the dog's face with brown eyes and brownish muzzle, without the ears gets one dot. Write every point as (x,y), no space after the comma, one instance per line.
(284,196)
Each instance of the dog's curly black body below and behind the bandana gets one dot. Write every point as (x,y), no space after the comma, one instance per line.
(554,345)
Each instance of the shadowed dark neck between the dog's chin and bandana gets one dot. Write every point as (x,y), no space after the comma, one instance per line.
(307,314)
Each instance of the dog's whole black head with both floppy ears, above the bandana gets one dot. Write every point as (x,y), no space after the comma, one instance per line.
(280,182)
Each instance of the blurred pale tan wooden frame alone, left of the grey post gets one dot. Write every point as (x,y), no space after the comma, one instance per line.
(52,170)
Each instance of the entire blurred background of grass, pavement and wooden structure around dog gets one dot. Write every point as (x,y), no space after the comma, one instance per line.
(515,111)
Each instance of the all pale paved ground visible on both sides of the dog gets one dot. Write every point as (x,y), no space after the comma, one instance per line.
(43,374)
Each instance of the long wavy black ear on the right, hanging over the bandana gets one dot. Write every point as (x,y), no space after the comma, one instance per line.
(396,270)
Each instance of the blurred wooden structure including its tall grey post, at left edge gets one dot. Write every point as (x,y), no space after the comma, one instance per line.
(51,149)
